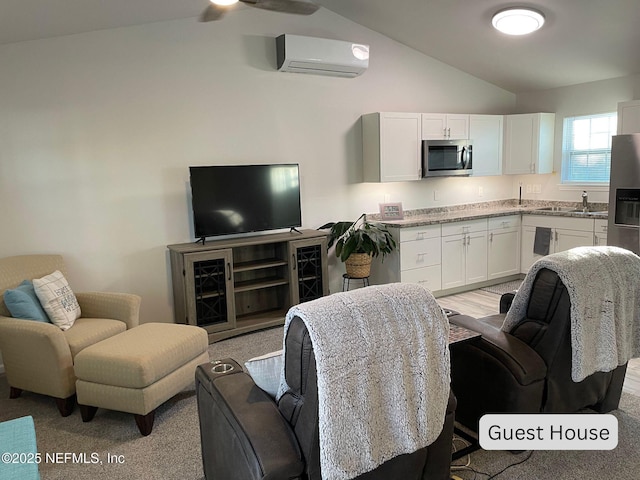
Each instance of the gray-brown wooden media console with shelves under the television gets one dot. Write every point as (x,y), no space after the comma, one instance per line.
(235,286)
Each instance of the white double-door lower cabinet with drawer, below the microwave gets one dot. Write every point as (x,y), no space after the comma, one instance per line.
(464,253)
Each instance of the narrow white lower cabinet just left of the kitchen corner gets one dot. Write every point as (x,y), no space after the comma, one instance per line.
(503,249)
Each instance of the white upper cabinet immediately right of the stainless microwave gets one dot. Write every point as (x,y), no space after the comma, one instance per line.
(485,133)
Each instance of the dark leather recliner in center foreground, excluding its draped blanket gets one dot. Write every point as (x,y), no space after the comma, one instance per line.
(246,435)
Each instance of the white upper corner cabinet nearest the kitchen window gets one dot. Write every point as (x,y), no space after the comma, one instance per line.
(528,145)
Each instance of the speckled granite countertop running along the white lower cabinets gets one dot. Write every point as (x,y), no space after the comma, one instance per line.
(499,208)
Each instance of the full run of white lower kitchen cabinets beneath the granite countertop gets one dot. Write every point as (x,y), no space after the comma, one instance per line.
(456,256)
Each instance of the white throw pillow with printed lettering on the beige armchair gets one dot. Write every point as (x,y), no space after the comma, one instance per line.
(57,299)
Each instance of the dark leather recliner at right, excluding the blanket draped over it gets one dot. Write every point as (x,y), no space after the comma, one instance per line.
(528,369)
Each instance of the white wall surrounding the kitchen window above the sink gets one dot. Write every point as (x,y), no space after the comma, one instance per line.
(583,99)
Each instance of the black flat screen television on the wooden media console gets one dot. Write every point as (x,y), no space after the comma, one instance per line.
(236,199)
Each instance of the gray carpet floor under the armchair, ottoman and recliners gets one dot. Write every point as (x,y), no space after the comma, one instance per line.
(172,451)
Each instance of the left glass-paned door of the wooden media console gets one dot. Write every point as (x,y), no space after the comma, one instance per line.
(208,298)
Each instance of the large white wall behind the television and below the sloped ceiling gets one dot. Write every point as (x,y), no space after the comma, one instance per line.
(97,131)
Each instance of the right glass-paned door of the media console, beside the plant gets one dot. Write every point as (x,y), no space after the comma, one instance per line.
(308,279)
